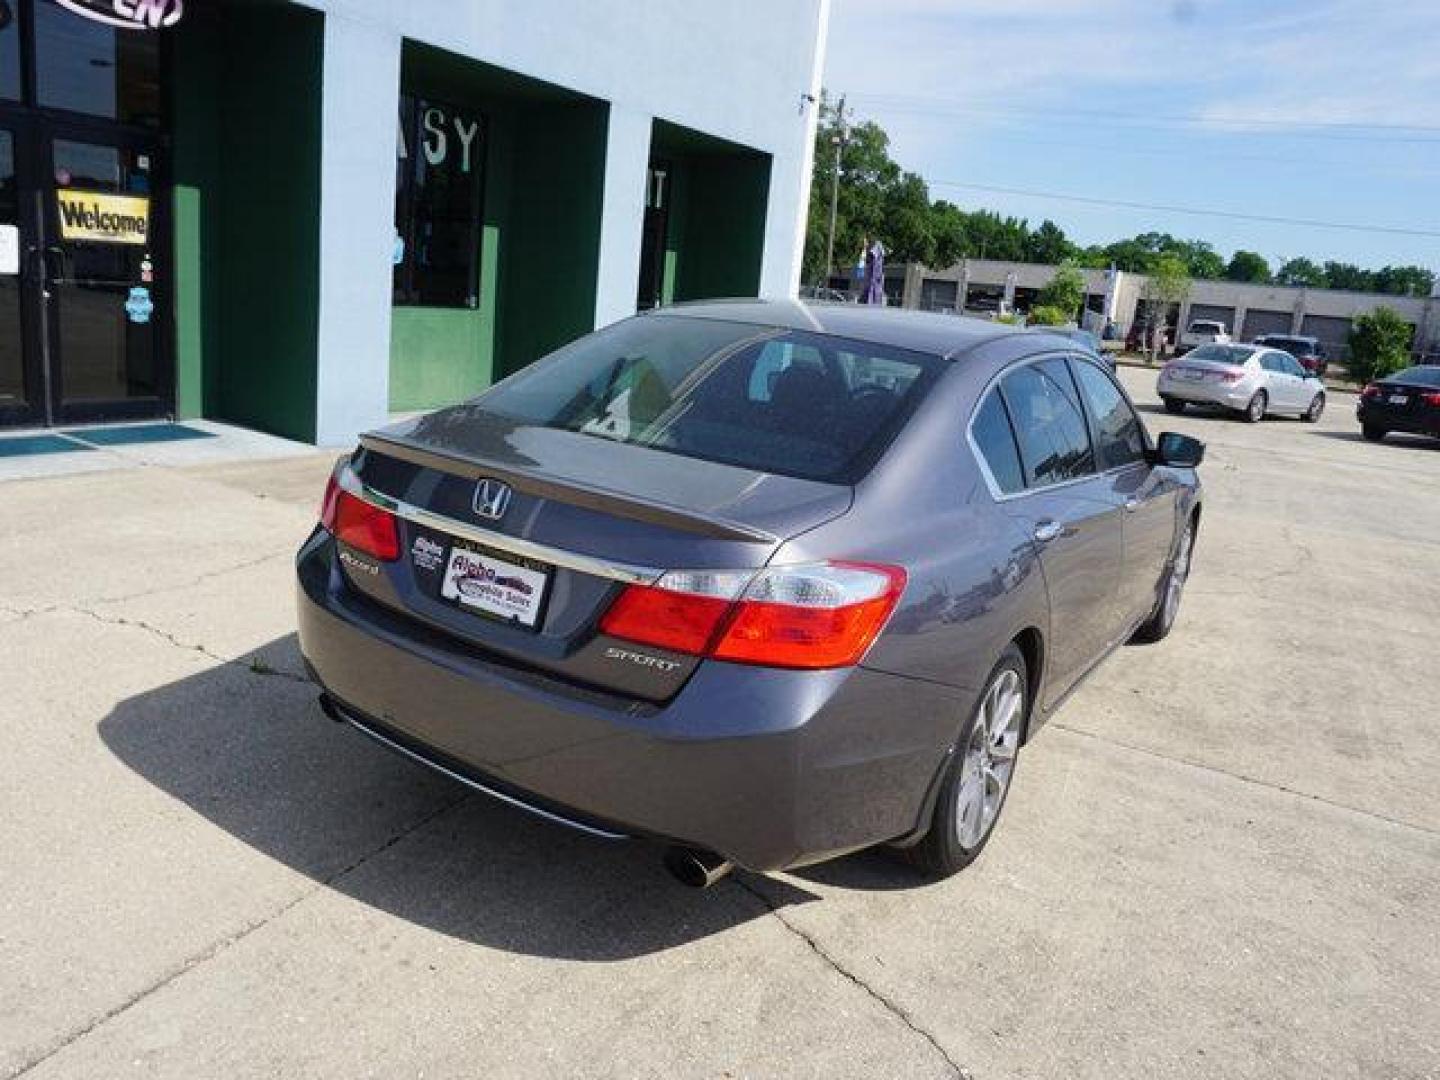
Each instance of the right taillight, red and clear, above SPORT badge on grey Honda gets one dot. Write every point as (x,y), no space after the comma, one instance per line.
(824,616)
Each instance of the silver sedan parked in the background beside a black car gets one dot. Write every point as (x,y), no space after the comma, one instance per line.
(1251,381)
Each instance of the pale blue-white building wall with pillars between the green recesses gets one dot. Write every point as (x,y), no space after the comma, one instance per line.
(744,71)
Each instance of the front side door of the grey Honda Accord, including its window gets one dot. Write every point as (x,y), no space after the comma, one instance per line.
(1148,495)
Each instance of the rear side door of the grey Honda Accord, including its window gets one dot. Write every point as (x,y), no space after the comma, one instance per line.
(1071,513)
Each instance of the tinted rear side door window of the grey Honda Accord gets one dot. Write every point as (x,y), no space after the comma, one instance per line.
(1055,444)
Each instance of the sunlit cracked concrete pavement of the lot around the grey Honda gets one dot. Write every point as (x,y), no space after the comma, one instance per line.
(1223,859)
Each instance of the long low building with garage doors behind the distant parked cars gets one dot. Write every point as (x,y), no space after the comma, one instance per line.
(981,287)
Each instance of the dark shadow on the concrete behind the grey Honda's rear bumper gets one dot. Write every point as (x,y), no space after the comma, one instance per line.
(247,748)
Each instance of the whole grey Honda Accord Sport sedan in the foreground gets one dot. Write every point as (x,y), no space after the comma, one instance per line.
(764,582)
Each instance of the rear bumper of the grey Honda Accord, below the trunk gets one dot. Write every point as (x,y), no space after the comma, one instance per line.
(768,768)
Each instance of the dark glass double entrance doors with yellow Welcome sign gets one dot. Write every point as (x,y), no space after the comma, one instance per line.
(83,293)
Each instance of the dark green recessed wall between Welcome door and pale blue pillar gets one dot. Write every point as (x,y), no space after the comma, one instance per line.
(247,181)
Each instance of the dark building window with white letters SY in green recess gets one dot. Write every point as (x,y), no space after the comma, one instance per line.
(440,181)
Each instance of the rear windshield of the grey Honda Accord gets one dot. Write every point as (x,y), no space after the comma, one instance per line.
(775,401)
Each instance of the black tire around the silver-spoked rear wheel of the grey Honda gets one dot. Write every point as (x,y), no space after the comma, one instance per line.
(944,852)
